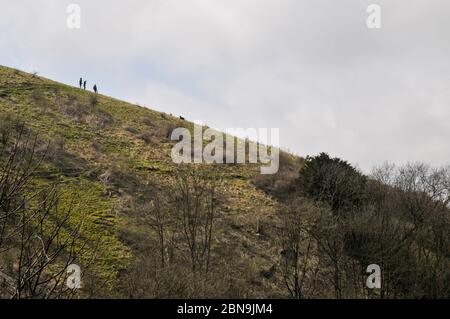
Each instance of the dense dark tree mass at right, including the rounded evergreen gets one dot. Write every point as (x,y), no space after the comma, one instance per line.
(341,221)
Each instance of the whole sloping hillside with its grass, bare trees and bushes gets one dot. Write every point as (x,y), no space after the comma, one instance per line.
(141,225)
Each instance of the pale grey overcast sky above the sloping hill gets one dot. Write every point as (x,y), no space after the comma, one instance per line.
(309,67)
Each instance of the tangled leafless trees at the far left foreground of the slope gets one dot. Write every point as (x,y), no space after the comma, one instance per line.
(37,240)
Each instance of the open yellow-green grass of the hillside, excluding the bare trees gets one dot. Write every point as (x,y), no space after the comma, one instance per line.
(107,151)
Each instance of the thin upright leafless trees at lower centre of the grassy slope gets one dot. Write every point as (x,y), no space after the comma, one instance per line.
(182,213)
